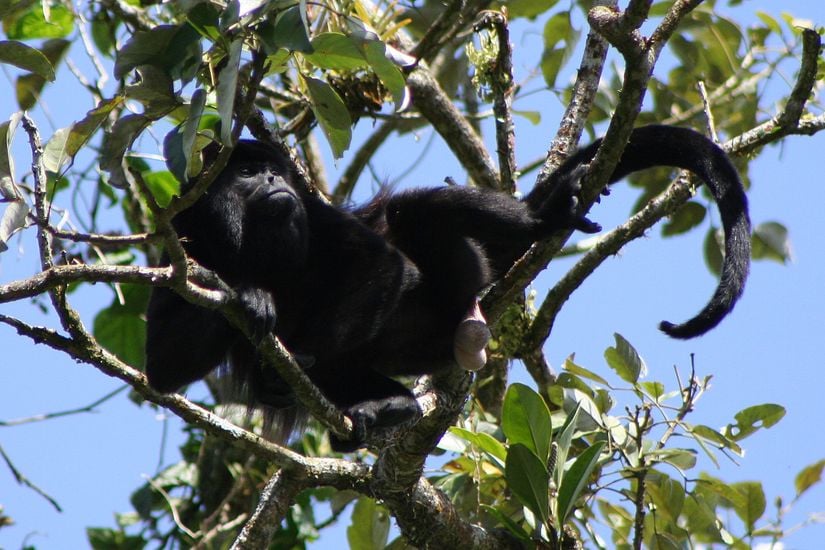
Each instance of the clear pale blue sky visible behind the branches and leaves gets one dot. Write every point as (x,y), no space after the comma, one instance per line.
(769,351)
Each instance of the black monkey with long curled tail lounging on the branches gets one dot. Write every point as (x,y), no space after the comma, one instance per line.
(377,292)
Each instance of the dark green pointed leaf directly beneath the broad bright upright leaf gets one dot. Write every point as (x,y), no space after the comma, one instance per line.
(527,477)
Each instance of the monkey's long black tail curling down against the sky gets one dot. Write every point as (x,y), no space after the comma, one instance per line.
(659,145)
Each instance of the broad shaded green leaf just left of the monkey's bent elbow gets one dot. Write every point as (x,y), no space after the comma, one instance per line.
(121,328)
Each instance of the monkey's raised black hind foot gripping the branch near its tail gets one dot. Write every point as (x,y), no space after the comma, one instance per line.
(563,208)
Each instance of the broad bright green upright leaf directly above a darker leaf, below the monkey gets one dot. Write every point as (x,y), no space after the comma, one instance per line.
(525,419)
